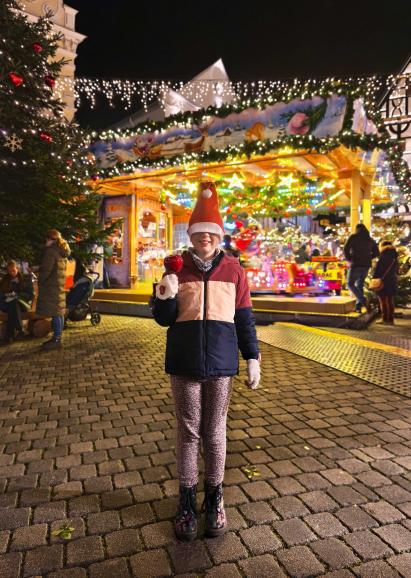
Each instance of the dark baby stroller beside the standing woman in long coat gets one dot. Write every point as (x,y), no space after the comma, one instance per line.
(78,299)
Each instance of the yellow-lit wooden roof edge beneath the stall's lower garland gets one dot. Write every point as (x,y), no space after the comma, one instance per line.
(336,165)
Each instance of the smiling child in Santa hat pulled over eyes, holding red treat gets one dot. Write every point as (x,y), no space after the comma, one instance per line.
(207,307)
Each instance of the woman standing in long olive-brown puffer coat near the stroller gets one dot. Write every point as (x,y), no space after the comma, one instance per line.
(51,301)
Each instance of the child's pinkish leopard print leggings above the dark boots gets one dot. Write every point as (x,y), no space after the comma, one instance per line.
(201,411)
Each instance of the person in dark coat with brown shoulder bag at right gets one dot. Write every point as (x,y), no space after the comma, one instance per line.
(386,269)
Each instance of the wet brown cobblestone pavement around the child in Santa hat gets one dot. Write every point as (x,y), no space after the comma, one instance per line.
(318,479)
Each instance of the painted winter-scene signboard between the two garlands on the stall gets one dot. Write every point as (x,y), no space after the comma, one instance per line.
(322,117)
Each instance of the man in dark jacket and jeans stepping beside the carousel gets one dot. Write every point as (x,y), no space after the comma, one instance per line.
(360,249)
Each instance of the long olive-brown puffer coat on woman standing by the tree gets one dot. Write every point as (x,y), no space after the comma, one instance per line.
(51,299)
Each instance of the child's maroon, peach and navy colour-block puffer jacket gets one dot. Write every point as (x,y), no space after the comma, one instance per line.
(209,320)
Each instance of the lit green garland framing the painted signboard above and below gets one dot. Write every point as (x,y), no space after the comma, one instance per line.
(362,88)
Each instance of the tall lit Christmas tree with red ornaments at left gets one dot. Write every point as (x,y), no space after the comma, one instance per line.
(43,169)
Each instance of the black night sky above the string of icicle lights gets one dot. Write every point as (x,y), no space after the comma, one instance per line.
(272,39)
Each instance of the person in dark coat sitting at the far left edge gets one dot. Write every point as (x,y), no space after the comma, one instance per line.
(16,294)
